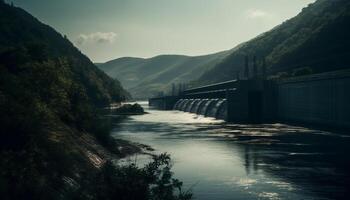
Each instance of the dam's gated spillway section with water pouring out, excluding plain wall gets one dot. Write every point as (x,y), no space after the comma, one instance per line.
(233,101)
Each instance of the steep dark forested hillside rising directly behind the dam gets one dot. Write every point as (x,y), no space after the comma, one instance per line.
(316,40)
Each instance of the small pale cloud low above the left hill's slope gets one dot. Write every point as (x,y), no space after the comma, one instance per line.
(98,37)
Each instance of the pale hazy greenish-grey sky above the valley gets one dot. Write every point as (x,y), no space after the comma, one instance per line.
(108,29)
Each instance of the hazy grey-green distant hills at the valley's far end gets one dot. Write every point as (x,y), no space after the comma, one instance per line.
(146,77)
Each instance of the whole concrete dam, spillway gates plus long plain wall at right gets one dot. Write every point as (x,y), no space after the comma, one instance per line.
(319,99)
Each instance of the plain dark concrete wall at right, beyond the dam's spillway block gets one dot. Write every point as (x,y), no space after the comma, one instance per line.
(322,99)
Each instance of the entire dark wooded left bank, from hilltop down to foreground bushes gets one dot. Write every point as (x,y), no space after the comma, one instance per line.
(55,140)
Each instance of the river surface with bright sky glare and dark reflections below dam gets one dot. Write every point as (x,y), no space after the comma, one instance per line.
(226,161)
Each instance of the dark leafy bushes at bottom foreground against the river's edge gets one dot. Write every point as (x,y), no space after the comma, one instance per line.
(154,182)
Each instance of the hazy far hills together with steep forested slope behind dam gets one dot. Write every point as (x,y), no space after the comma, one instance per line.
(316,40)
